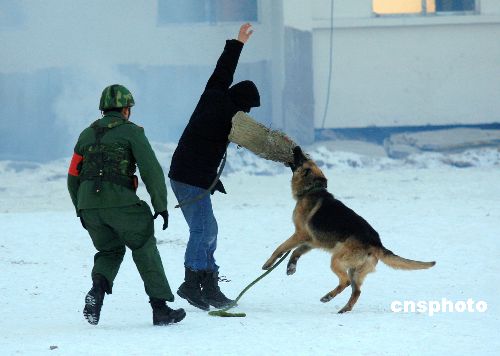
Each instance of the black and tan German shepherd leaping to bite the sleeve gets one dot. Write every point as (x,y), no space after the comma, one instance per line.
(321,221)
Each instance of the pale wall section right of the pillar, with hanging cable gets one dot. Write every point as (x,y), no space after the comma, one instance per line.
(406,70)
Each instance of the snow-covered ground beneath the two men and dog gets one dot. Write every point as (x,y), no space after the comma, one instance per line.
(442,207)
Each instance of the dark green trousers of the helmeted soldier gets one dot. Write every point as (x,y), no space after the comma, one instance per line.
(113,229)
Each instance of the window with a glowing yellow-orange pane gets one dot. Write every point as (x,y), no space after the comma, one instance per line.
(422,7)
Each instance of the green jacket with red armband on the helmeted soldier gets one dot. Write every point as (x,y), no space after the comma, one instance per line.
(130,141)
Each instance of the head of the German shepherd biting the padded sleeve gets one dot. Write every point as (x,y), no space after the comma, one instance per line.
(306,174)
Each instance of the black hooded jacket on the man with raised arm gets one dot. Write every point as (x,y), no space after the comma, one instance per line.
(205,138)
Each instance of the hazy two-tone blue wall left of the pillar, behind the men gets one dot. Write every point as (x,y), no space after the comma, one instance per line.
(58,55)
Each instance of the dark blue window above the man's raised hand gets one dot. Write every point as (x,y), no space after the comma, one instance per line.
(209,11)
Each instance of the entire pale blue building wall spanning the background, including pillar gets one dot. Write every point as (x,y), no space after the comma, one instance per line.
(416,70)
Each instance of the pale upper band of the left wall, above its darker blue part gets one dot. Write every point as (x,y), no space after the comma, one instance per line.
(59,33)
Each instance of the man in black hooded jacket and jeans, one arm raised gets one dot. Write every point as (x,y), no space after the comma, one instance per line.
(194,166)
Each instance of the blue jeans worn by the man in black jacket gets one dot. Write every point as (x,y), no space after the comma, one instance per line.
(202,227)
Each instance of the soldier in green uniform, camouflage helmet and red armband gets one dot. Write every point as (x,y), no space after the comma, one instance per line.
(102,186)
